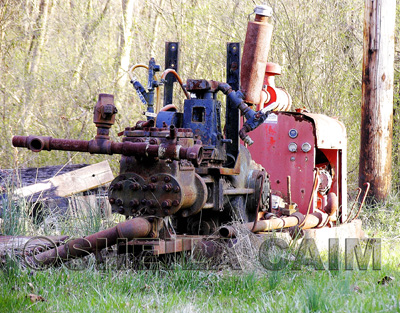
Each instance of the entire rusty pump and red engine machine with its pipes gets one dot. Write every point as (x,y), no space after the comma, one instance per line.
(183,175)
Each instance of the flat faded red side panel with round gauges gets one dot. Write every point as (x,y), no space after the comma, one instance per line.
(270,149)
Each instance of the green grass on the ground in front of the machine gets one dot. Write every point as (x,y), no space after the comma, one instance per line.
(180,290)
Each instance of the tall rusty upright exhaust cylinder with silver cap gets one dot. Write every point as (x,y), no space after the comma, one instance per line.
(255,55)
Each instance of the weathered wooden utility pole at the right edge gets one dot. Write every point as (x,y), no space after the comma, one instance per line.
(377,97)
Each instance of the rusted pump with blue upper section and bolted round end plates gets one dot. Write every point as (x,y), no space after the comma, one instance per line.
(178,168)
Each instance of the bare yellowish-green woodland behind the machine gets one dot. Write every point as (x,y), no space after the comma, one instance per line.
(57,56)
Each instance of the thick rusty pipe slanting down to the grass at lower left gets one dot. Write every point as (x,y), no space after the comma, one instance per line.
(80,247)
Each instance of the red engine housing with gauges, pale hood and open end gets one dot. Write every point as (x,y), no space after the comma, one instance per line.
(326,142)
